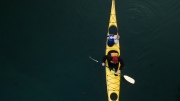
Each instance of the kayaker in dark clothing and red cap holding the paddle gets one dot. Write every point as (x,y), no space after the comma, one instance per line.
(113,60)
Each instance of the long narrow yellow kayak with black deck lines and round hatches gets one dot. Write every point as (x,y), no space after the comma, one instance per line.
(112,81)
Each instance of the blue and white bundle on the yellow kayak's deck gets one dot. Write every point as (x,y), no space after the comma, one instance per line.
(112,39)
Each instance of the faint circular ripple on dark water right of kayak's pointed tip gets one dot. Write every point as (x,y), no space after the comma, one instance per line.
(140,19)
